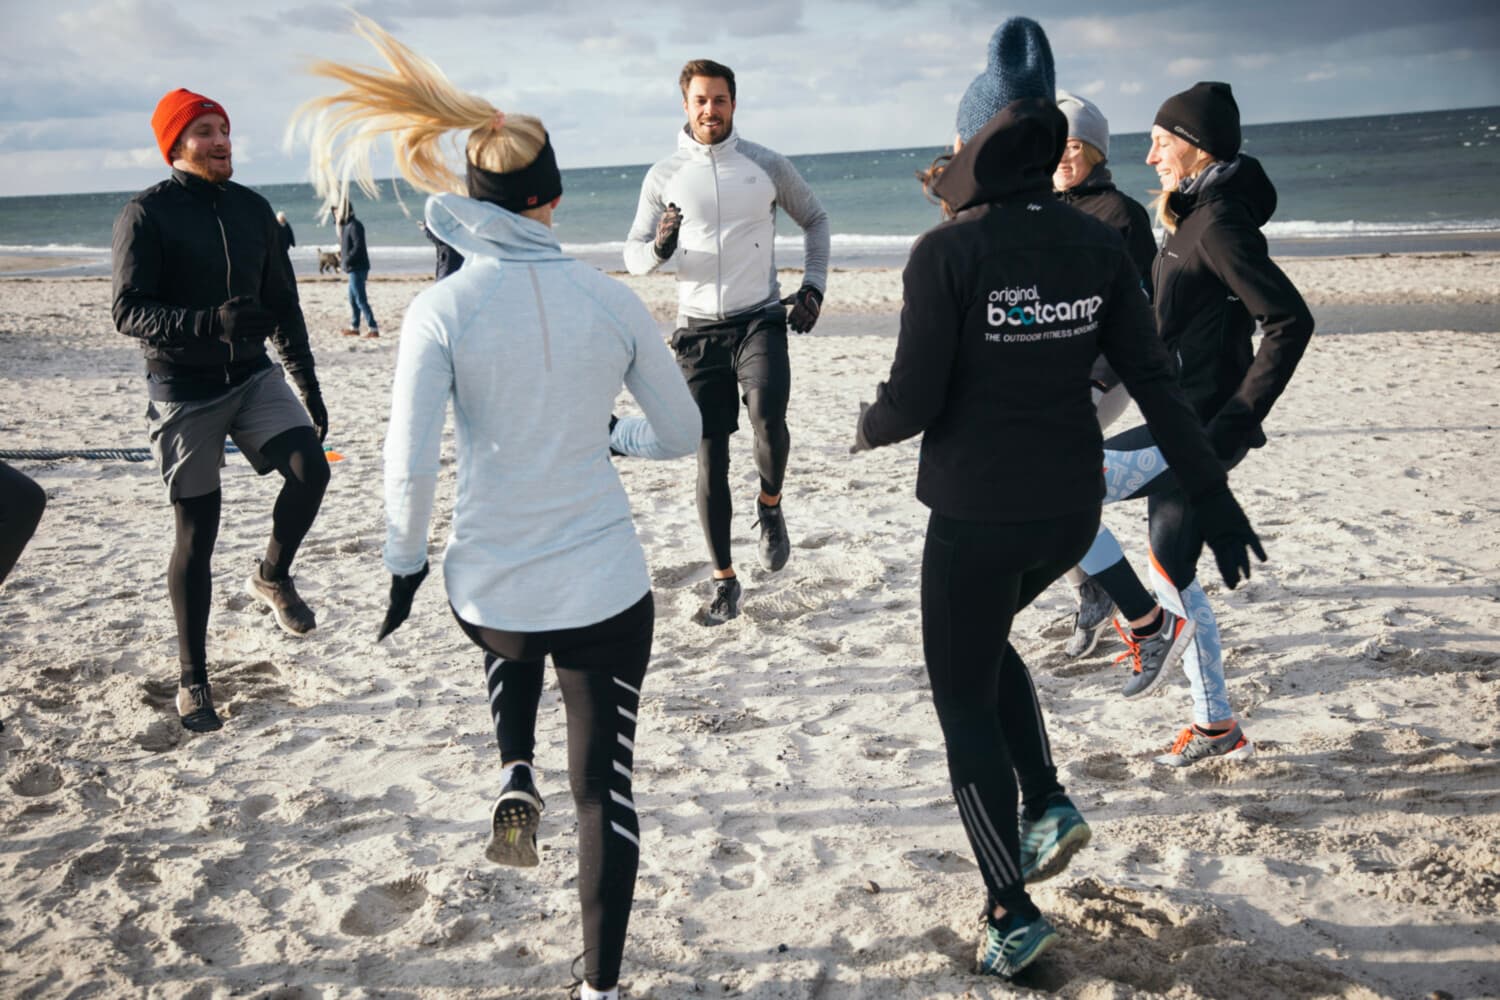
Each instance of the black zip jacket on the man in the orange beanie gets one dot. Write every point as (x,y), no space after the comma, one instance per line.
(184,248)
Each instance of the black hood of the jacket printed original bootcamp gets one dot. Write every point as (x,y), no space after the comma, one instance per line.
(1016,152)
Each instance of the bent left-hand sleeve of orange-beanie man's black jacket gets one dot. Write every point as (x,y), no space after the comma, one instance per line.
(139,313)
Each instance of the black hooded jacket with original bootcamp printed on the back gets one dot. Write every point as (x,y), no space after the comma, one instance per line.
(1006,310)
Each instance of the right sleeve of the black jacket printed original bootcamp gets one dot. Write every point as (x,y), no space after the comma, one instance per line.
(1129,340)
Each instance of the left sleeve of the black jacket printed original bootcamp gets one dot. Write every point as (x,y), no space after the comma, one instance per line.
(932,320)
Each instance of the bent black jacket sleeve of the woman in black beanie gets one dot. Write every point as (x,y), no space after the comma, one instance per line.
(1238,256)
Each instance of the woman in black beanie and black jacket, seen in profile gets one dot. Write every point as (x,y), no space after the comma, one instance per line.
(1214,280)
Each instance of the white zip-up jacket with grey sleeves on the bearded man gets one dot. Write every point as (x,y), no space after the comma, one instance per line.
(727,247)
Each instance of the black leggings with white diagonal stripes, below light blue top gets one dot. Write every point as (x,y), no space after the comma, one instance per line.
(601,669)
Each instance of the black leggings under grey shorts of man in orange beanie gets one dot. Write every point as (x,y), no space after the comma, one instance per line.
(298,457)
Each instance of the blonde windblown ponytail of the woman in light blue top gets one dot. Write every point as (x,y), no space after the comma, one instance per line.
(418,107)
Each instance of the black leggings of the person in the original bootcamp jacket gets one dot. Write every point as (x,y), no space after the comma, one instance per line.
(976,578)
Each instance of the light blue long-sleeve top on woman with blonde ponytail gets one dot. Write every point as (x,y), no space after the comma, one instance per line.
(532,347)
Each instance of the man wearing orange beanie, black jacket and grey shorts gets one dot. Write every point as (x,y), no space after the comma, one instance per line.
(200,280)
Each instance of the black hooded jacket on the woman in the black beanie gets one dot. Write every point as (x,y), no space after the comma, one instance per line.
(1214,280)
